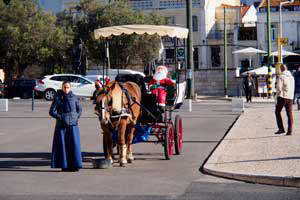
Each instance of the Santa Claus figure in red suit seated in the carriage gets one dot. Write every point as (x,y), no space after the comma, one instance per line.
(158,84)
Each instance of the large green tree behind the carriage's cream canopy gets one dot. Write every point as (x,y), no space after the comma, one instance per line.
(124,50)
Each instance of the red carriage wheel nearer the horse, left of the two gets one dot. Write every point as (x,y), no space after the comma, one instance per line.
(169,141)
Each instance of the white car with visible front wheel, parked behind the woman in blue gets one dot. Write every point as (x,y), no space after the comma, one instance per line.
(80,85)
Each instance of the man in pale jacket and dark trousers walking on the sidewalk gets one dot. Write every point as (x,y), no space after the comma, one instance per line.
(285,95)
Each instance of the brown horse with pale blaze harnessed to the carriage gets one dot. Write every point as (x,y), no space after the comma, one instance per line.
(118,109)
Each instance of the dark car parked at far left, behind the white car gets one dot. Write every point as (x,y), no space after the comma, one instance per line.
(21,88)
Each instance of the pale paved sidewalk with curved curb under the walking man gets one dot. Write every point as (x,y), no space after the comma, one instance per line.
(252,152)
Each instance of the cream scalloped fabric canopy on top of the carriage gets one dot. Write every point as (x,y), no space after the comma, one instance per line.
(140,29)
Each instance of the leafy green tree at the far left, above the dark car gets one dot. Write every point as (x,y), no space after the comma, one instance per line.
(30,36)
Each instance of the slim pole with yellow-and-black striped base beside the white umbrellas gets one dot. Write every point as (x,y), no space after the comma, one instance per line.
(269,48)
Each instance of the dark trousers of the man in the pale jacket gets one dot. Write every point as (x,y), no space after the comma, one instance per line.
(288,104)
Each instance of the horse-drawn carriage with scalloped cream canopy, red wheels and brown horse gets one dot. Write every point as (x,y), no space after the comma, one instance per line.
(129,112)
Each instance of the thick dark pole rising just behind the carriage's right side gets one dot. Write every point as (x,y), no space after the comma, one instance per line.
(190,64)
